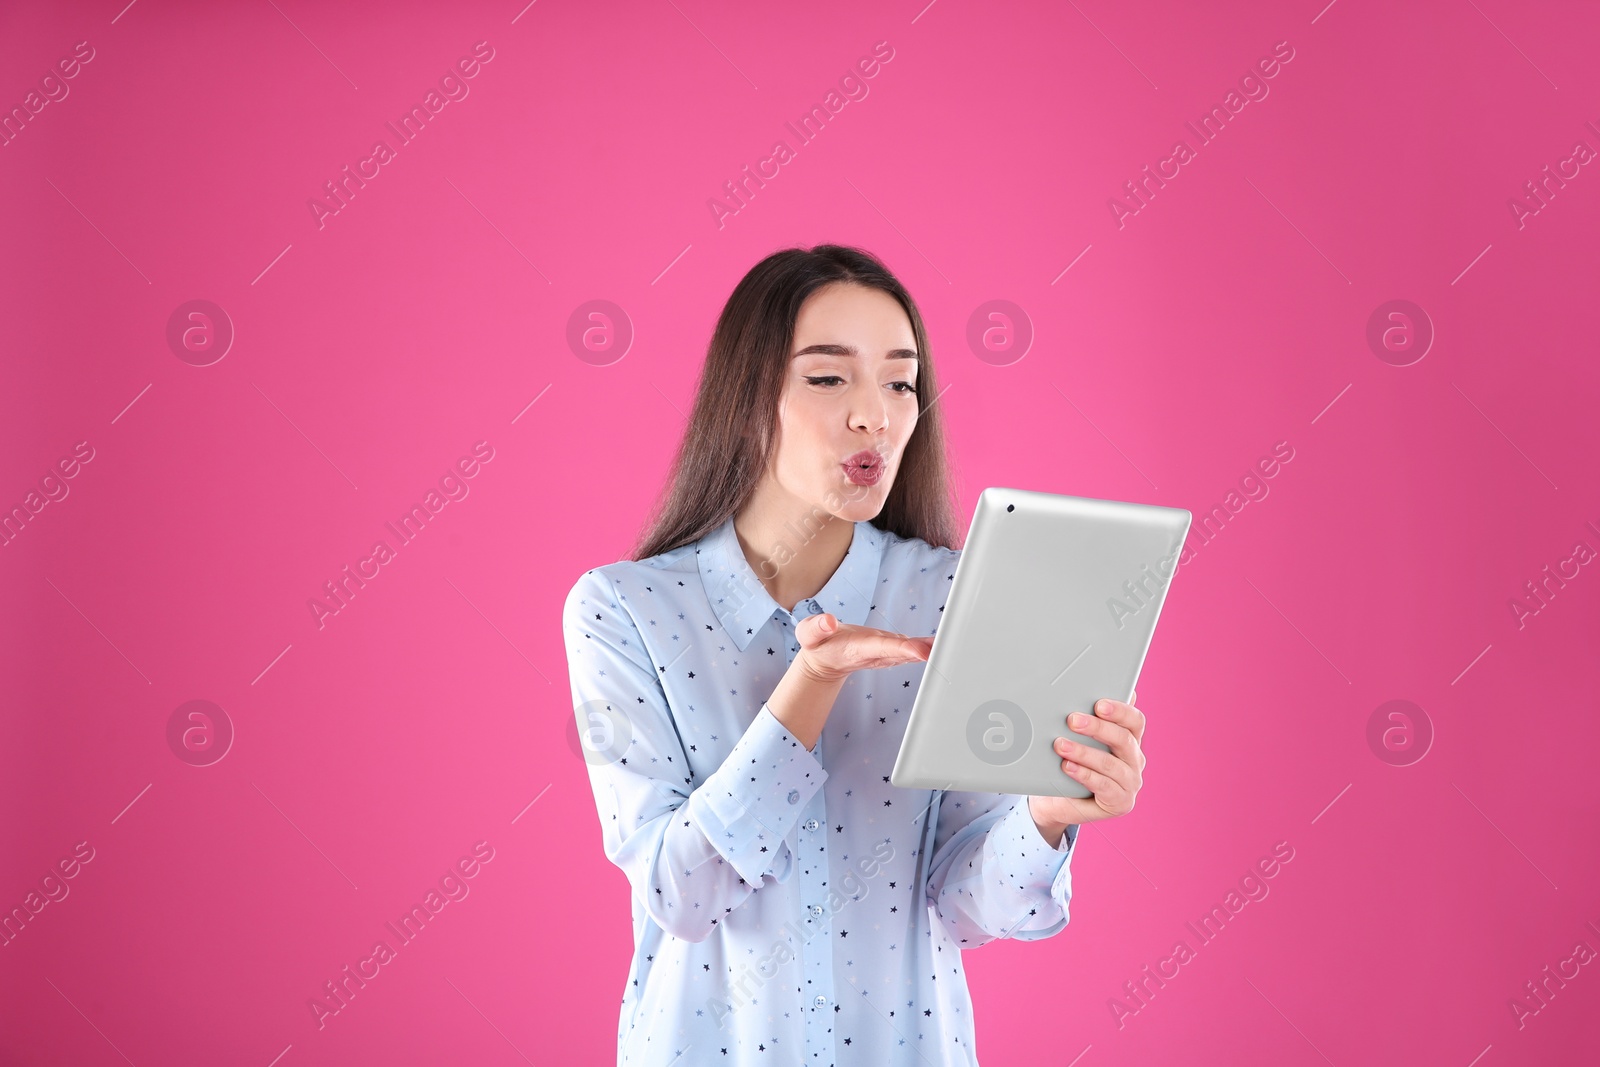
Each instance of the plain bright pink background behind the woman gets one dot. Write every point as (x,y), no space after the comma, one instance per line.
(433,713)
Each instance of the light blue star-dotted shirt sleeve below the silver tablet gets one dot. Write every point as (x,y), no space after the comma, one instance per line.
(993,873)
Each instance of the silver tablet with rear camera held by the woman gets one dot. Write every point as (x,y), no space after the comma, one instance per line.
(1052,607)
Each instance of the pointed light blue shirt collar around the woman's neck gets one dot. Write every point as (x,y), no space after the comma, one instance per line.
(743,604)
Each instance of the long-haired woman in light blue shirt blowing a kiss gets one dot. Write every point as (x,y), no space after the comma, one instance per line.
(743,684)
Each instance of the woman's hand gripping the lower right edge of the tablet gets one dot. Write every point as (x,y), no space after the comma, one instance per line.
(1114,777)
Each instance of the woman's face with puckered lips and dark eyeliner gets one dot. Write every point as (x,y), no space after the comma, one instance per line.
(849,402)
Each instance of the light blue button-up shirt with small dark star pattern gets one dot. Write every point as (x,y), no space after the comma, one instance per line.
(790,906)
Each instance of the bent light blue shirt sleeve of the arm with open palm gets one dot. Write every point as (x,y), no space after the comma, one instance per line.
(692,853)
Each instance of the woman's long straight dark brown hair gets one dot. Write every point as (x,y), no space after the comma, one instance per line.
(732,431)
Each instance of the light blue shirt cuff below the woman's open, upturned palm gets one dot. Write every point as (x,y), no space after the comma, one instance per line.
(750,805)
